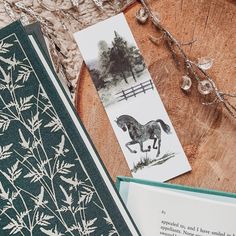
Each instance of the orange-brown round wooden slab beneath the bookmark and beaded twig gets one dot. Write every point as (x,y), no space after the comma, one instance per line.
(208,134)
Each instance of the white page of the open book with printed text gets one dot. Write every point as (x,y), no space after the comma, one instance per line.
(159,211)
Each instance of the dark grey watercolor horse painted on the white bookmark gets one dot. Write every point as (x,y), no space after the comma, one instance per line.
(140,133)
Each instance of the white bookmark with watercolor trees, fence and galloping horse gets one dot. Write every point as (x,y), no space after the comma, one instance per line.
(133,105)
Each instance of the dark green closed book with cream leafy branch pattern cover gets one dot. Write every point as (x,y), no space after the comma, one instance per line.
(51,180)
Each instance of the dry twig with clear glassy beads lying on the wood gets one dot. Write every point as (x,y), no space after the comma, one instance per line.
(193,70)
